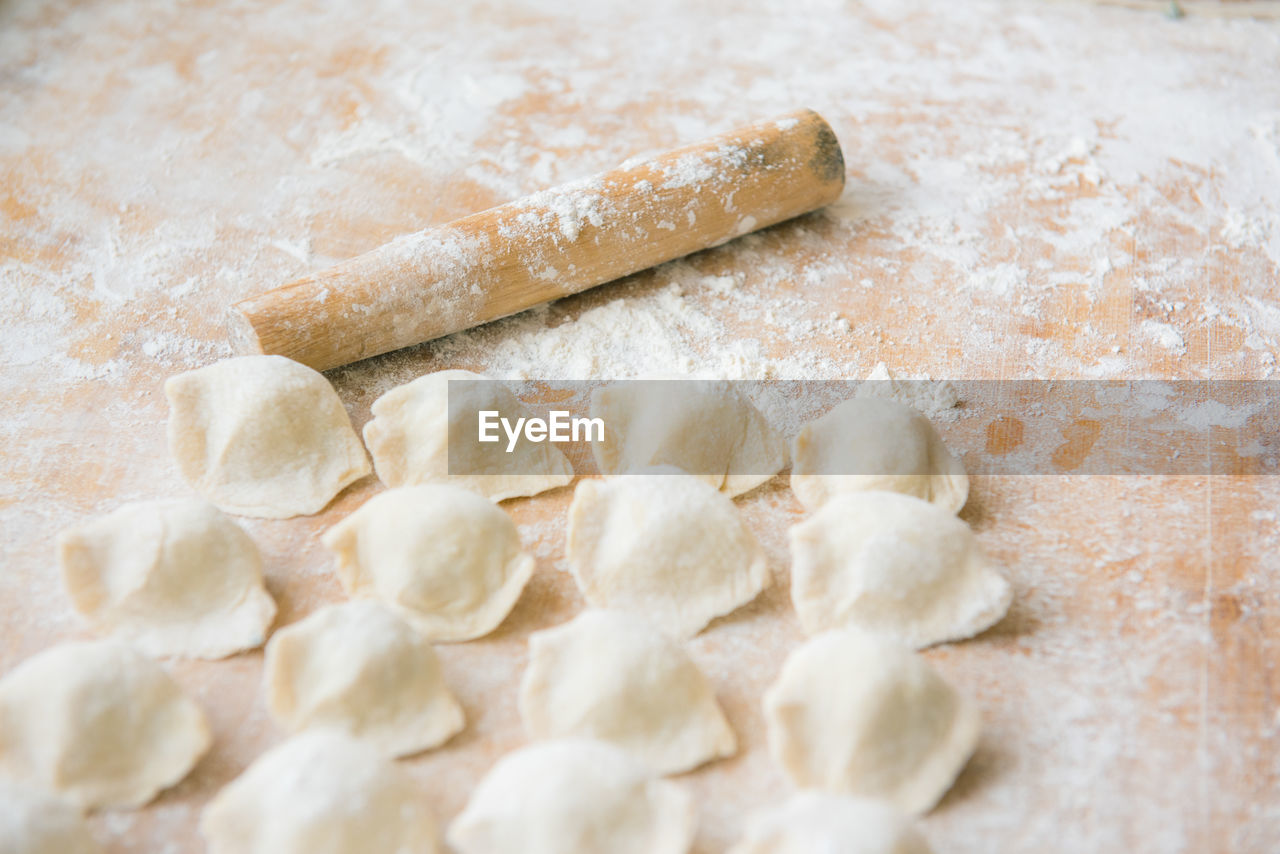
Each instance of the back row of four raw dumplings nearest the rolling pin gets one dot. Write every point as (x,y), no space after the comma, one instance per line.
(263,436)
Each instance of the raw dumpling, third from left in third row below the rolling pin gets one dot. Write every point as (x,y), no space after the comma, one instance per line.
(611,677)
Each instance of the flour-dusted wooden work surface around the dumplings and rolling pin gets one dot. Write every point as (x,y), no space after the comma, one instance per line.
(1055,191)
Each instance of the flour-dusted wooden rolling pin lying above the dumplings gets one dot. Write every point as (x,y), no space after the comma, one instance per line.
(548,245)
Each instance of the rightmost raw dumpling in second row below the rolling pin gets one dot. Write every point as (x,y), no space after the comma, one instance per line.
(895,567)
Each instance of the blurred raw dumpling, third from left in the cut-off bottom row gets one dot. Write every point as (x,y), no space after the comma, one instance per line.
(574,797)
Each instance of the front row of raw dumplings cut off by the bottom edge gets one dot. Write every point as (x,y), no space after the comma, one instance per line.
(326,792)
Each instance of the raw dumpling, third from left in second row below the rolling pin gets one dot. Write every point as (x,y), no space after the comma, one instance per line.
(665,546)
